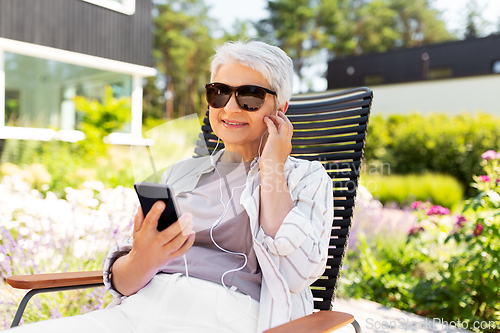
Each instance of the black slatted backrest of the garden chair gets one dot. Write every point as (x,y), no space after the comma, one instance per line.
(330,128)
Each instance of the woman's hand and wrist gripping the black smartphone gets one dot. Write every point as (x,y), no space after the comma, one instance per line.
(151,249)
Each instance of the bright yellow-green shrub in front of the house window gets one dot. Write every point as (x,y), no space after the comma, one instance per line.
(100,119)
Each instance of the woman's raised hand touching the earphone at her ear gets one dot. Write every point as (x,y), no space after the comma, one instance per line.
(279,140)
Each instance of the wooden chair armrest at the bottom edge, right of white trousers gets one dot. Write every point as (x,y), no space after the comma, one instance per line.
(318,322)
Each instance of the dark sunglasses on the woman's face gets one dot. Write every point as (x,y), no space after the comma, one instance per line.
(248,97)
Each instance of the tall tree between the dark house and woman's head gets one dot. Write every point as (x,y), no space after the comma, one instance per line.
(183,47)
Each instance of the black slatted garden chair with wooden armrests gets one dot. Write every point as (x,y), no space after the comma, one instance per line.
(330,128)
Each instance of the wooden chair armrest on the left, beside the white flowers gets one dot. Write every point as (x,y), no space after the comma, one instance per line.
(40,281)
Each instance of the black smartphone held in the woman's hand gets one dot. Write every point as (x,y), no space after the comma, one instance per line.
(149,193)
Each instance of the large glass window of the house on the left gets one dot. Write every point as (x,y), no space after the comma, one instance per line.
(39,92)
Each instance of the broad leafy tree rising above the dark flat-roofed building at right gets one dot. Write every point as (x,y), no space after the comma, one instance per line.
(354,27)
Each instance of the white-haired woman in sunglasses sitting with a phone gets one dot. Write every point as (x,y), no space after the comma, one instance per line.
(262,219)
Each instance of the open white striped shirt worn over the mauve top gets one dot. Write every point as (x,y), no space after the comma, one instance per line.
(292,260)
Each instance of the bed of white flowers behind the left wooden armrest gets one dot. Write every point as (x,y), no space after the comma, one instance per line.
(44,234)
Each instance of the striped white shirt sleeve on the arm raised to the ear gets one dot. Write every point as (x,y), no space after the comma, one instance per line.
(300,247)
